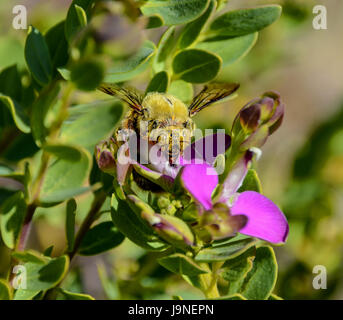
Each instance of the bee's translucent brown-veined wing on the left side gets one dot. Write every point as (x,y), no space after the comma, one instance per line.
(130,95)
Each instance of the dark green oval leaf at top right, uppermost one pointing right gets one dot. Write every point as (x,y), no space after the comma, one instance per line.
(244,21)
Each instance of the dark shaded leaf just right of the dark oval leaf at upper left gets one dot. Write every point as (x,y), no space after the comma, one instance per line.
(58,45)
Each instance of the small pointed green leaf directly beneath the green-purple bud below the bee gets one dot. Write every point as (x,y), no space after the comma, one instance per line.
(181,264)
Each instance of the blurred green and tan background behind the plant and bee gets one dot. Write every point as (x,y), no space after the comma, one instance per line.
(301,167)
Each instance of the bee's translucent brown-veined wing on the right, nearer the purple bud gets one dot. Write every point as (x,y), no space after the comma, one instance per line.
(210,94)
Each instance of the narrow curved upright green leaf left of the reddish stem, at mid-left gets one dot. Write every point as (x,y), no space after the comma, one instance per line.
(40,110)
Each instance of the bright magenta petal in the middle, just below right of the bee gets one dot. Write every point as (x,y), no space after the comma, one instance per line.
(200,180)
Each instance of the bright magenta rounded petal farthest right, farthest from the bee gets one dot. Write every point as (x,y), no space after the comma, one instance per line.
(265,220)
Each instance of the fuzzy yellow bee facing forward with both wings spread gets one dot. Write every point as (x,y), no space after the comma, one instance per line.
(163,117)
